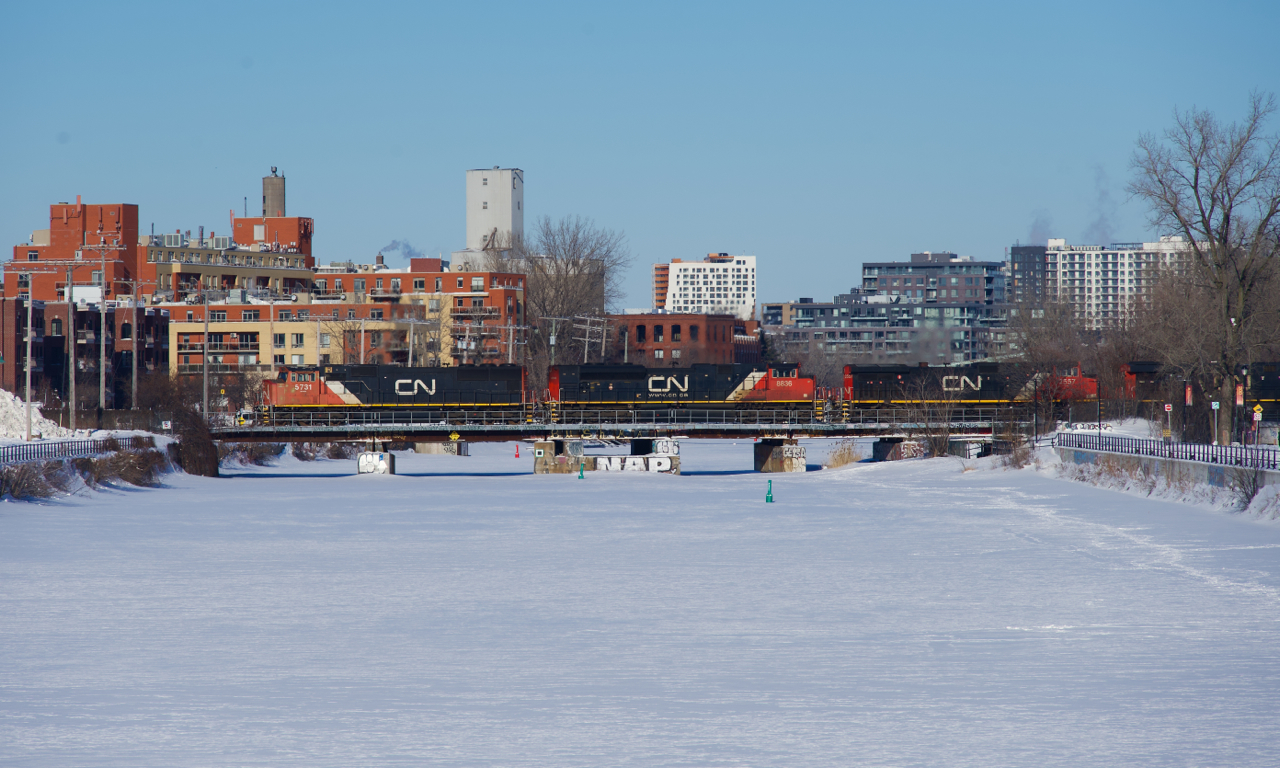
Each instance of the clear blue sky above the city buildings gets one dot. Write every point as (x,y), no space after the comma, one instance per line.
(815,136)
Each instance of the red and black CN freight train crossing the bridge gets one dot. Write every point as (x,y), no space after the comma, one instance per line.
(705,387)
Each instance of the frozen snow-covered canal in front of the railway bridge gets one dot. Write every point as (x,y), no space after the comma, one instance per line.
(468,614)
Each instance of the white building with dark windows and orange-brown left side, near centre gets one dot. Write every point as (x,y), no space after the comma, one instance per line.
(719,285)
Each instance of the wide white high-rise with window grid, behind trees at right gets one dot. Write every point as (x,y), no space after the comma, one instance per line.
(1104,284)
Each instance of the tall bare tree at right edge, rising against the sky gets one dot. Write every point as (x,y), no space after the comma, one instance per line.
(1219,186)
